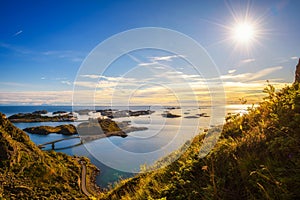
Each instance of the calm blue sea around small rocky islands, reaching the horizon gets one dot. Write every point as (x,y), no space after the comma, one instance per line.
(118,158)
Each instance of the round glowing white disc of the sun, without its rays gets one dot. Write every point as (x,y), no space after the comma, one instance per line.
(244,33)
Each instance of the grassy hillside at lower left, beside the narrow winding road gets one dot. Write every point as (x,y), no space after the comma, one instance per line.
(26,172)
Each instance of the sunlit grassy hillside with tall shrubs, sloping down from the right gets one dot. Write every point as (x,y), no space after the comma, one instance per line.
(257,157)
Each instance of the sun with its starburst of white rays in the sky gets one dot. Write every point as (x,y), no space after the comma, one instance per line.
(244,34)
